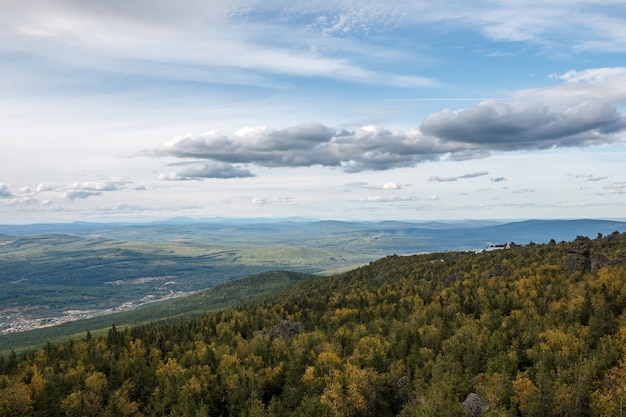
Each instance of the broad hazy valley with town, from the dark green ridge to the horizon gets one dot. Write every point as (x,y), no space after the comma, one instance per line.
(59,273)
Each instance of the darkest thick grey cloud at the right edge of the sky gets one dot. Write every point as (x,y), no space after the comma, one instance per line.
(500,126)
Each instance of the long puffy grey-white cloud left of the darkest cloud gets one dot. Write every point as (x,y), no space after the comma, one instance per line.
(308,144)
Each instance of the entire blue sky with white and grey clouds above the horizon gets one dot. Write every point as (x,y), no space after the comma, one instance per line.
(140,110)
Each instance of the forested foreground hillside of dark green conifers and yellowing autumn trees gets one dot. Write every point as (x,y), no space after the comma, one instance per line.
(534,330)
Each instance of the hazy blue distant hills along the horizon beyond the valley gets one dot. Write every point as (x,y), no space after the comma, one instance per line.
(378,237)
